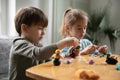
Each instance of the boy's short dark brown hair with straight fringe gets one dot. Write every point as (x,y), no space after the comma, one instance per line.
(30,16)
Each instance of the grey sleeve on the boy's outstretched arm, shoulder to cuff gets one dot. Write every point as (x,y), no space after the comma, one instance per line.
(27,49)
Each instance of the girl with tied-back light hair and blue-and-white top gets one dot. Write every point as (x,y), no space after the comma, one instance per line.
(74,24)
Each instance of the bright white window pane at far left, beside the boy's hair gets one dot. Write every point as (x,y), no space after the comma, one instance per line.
(7,12)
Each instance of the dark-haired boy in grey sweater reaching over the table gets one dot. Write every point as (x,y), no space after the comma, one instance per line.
(26,50)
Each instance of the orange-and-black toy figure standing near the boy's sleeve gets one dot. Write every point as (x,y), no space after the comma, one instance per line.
(57,58)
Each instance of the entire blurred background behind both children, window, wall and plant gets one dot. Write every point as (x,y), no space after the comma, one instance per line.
(103,28)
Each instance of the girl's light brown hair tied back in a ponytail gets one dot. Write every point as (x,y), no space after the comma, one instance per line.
(70,17)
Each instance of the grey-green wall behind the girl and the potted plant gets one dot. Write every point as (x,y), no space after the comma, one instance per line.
(89,6)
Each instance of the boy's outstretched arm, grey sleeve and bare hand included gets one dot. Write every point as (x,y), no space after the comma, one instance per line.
(25,48)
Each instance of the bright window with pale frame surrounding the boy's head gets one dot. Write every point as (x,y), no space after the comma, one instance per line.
(8,10)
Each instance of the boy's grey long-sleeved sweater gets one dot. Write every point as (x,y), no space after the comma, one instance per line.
(24,55)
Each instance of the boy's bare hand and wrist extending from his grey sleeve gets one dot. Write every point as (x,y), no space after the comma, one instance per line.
(69,41)
